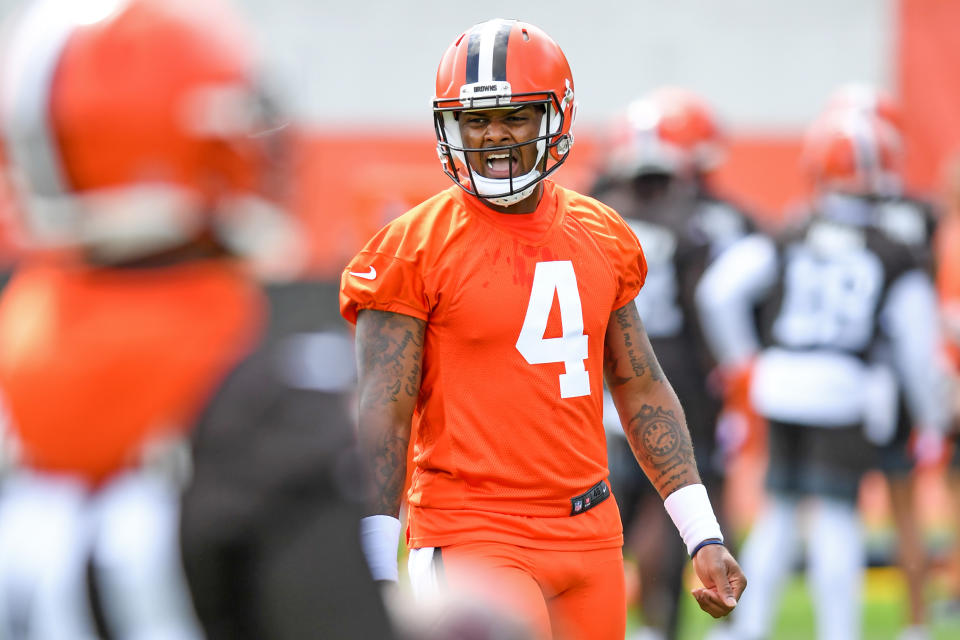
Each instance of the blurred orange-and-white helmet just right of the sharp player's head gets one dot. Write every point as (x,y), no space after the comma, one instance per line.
(668,130)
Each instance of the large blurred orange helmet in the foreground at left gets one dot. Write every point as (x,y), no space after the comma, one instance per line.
(128,123)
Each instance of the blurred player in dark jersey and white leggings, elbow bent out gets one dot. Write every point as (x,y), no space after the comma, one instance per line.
(827,292)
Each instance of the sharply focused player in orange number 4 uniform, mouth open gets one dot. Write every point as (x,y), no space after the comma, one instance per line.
(487,319)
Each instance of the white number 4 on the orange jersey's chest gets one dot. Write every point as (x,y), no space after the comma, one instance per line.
(571,347)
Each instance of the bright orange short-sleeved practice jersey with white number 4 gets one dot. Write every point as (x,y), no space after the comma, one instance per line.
(508,424)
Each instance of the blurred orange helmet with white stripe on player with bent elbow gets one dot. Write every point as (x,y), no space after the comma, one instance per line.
(853,152)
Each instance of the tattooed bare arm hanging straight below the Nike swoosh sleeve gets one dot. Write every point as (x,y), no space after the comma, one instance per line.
(389,354)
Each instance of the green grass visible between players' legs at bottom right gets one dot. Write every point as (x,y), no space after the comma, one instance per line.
(884,611)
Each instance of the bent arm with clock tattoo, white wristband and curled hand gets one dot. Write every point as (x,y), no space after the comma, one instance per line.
(657,431)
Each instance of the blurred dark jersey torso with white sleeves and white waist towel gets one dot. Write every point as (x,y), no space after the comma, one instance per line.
(824,294)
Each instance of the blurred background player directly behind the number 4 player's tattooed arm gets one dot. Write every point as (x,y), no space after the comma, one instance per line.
(662,150)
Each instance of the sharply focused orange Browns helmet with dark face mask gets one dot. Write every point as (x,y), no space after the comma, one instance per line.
(504,64)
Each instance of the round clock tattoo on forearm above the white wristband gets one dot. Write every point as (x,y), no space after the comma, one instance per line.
(661,441)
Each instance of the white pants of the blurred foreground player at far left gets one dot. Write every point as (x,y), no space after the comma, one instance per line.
(50,526)
